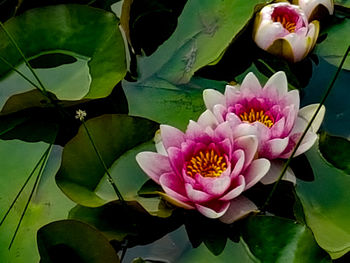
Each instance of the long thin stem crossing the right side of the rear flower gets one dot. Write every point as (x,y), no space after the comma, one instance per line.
(286,165)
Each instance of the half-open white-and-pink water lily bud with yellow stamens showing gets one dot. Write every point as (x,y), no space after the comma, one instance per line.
(283,30)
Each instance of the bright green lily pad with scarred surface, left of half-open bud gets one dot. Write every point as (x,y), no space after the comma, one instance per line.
(205,28)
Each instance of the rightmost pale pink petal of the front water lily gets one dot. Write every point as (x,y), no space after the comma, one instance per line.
(256,171)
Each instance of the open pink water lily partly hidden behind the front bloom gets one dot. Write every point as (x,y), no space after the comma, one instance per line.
(272,110)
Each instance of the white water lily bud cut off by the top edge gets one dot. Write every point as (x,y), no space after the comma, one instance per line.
(316,9)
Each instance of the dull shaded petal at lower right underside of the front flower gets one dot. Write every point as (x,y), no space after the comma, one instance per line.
(239,207)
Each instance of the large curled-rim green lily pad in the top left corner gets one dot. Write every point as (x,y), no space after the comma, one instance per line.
(88,34)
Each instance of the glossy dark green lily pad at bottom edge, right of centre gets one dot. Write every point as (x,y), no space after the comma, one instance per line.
(274,239)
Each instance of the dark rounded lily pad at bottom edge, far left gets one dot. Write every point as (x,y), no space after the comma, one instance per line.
(74,241)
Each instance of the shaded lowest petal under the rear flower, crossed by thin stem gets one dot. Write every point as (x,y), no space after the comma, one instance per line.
(275,171)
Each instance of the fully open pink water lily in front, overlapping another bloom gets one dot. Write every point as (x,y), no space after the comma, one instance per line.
(207,167)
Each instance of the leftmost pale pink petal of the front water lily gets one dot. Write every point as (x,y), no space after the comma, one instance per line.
(153,164)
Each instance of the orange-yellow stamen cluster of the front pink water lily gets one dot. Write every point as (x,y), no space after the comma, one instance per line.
(207,164)
